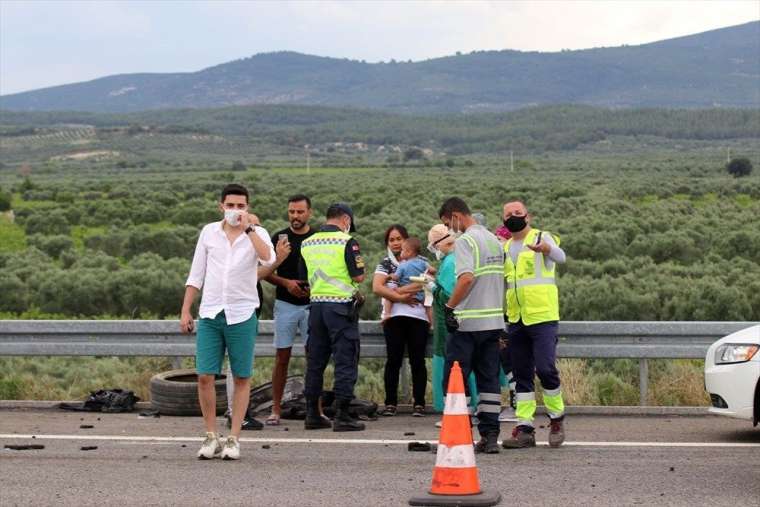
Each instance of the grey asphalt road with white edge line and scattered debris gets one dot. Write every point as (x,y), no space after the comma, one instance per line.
(151,461)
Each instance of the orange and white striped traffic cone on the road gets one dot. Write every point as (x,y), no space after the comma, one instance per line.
(455,476)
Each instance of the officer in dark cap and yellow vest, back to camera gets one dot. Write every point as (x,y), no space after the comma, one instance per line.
(334,267)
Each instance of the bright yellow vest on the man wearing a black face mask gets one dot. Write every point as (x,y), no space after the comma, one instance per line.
(531,288)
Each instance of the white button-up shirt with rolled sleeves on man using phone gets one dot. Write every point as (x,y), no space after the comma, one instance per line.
(227,273)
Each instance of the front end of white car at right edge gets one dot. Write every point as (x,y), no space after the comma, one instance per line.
(732,375)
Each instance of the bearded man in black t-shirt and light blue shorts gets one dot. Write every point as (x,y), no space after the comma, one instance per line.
(291,305)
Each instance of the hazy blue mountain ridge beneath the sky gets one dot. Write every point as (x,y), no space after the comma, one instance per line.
(684,72)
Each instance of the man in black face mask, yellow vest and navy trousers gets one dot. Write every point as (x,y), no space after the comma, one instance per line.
(532,309)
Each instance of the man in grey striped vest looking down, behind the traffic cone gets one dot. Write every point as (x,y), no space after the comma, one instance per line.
(474,314)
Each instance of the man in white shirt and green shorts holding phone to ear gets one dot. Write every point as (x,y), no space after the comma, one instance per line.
(225,265)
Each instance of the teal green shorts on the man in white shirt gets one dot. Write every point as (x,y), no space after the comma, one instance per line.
(215,335)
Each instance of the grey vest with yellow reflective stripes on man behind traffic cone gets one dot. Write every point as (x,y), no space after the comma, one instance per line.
(488,259)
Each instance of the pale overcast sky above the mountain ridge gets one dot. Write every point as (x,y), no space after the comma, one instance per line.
(46,43)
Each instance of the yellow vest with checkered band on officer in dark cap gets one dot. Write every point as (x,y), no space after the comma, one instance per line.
(324,255)
